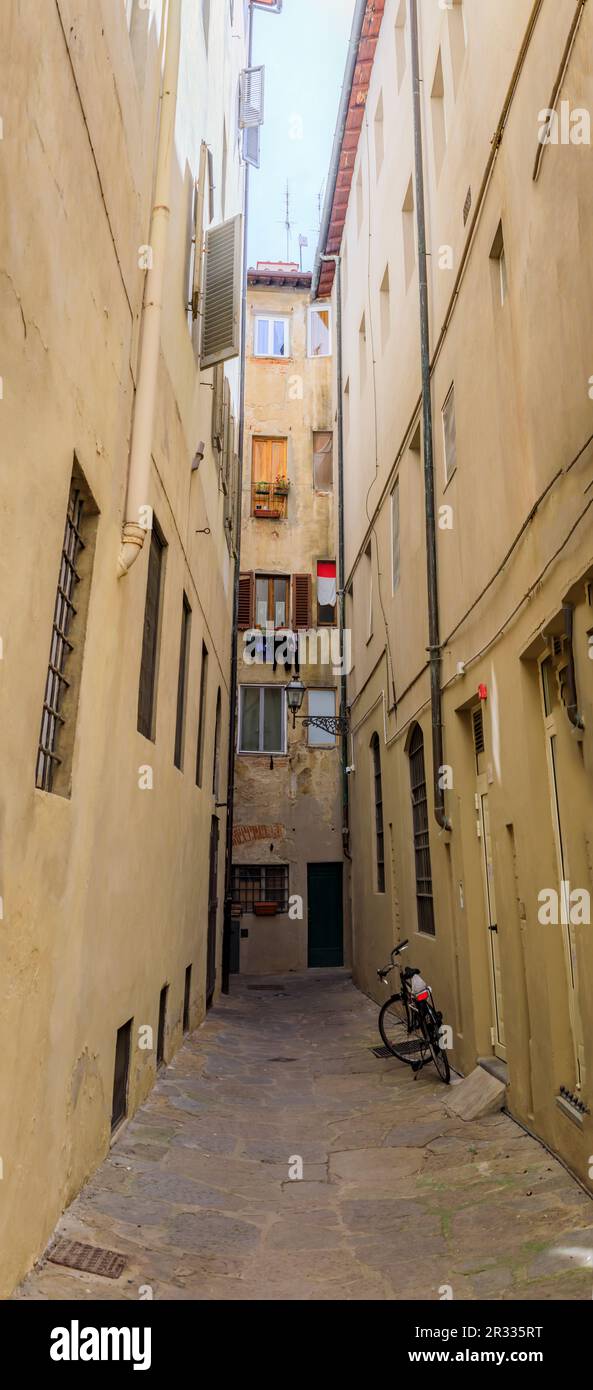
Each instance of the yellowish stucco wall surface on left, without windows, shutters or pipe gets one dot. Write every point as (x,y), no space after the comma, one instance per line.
(105,893)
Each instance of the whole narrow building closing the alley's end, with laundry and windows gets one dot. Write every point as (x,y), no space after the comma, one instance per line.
(288,864)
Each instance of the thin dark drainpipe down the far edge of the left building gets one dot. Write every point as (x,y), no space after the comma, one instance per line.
(227,918)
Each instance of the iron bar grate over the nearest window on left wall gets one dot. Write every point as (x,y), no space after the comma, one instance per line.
(62,647)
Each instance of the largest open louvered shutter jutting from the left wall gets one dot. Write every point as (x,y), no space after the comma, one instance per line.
(223,293)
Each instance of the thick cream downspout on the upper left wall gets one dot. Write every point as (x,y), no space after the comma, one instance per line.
(138,515)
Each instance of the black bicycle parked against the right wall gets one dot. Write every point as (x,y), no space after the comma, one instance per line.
(409,1022)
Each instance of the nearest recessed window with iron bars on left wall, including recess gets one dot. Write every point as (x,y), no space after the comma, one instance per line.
(65,669)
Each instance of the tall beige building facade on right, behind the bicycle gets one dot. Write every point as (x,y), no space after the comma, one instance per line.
(471,804)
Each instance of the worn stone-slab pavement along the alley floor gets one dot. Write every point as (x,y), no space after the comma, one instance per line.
(396,1199)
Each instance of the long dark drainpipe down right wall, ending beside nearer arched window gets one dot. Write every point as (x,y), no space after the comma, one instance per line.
(434,636)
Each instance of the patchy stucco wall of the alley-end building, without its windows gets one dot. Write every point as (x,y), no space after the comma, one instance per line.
(302,792)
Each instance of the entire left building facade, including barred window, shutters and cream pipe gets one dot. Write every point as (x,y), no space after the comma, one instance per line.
(123,197)
